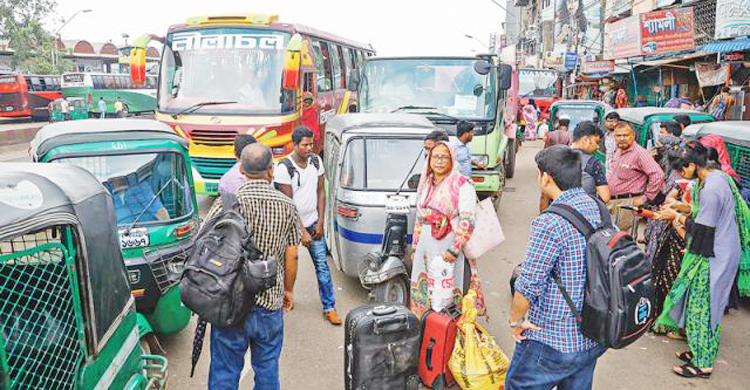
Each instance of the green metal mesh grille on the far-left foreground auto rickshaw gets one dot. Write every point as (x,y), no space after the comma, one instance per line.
(42,331)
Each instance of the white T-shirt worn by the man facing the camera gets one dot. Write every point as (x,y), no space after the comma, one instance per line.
(304,188)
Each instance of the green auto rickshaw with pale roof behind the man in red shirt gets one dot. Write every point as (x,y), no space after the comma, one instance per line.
(646,121)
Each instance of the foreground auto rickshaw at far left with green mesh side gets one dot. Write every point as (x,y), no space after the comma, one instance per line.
(68,320)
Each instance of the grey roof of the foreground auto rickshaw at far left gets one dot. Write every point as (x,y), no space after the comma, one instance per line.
(31,189)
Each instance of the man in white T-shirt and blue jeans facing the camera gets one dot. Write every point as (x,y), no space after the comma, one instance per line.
(301,177)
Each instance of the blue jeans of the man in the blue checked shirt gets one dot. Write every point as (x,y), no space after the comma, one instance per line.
(537,366)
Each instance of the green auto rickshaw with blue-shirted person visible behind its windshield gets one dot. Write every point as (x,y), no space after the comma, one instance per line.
(146,168)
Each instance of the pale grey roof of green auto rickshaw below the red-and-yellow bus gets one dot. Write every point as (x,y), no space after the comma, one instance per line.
(100,130)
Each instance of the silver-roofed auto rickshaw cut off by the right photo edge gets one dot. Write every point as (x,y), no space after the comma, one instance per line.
(736,136)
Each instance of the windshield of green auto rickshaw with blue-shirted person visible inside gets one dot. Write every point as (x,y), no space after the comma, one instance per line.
(145,187)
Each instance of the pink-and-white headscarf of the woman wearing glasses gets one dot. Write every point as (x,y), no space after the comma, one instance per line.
(444,196)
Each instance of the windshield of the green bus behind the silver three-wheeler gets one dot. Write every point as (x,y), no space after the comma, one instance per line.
(448,86)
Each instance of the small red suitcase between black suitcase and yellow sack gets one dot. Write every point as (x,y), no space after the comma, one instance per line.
(438,338)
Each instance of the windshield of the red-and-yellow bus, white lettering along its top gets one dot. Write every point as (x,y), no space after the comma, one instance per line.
(238,65)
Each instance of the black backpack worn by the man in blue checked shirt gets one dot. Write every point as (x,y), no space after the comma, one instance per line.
(618,299)
